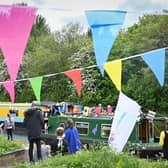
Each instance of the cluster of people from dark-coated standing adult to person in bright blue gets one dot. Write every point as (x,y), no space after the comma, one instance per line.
(66,141)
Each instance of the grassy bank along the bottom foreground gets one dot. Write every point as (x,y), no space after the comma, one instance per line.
(96,159)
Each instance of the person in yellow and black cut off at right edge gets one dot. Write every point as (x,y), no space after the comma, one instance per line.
(164,141)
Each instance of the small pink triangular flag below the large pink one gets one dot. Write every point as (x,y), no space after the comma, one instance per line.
(9,86)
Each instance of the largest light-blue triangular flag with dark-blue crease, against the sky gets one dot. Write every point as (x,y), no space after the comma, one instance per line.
(105,26)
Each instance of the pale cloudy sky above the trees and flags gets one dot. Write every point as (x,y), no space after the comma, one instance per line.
(60,12)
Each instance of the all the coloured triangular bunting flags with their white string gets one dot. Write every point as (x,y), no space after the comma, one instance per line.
(105,26)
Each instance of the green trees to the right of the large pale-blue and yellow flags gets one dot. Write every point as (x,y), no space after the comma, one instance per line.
(138,81)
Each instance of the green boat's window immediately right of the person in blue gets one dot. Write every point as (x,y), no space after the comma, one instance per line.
(83,128)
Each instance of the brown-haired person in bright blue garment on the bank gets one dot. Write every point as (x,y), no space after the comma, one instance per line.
(71,135)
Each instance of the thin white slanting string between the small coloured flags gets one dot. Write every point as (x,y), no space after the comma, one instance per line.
(83,68)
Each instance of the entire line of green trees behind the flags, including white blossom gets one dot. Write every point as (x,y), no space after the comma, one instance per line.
(55,52)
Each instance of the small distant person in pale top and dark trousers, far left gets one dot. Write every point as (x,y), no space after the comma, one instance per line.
(9,126)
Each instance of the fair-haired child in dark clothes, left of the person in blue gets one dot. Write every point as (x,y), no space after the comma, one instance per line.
(59,145)
